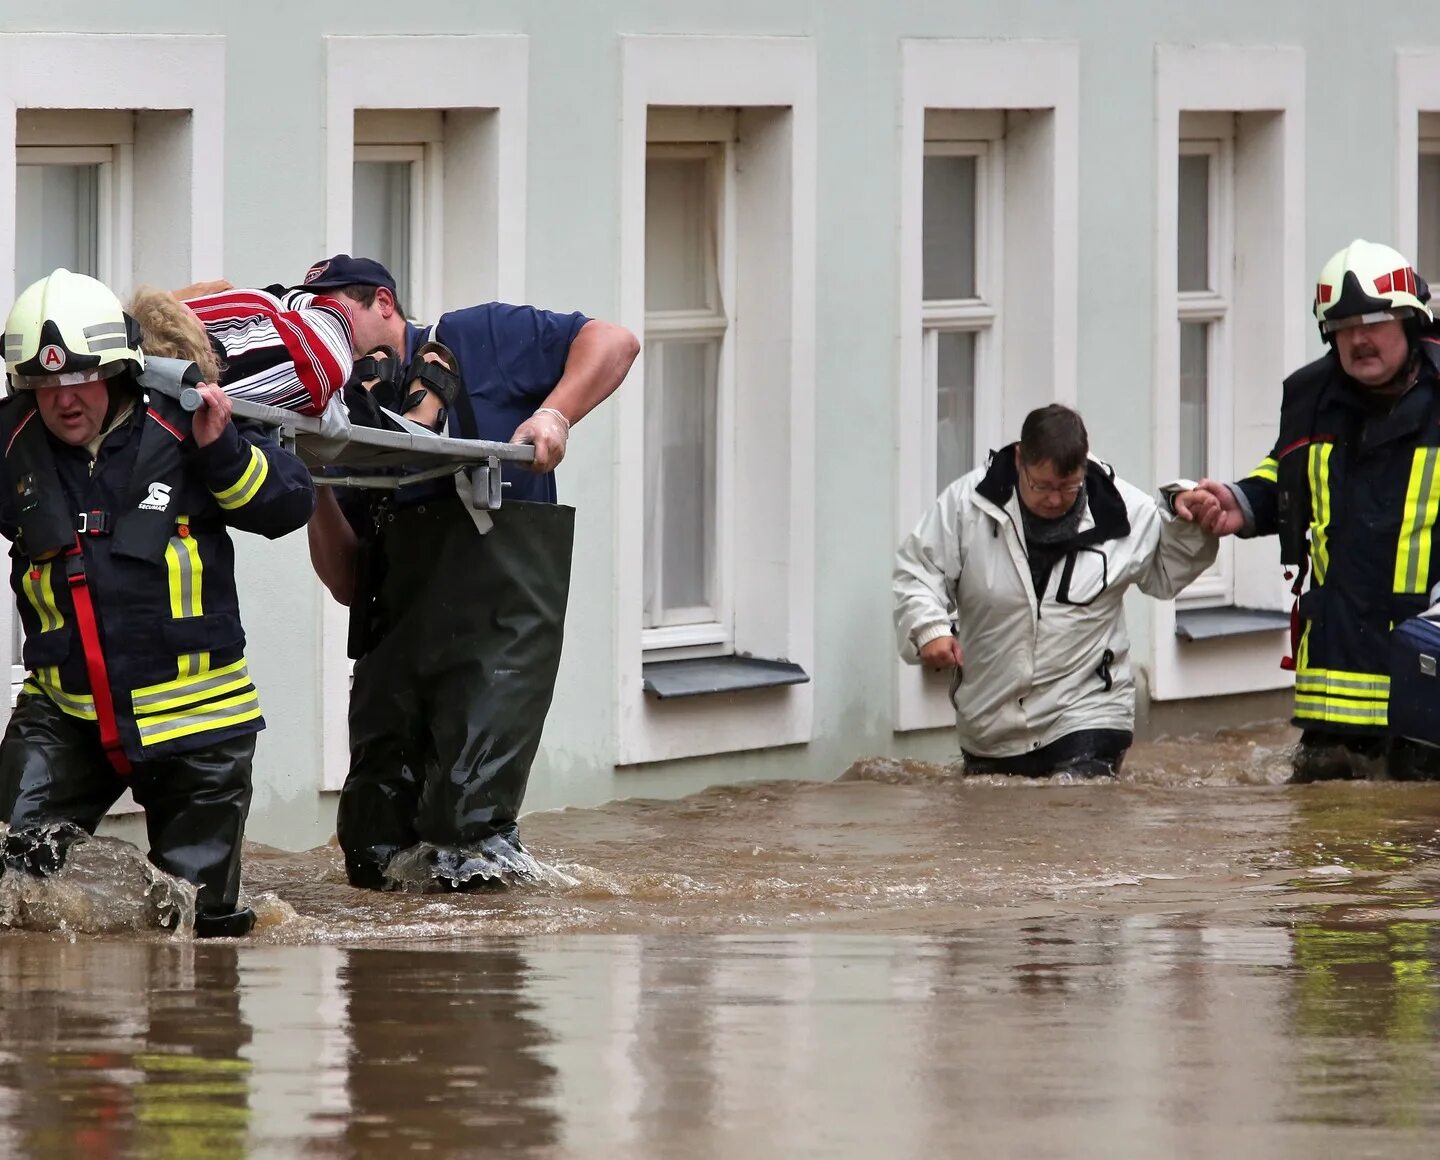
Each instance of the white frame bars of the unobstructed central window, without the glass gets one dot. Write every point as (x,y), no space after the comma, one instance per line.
(715,637)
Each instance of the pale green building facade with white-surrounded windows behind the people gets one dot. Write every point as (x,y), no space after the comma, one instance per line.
(859,240)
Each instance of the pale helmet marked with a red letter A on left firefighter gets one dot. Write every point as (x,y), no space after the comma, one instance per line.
(66,330)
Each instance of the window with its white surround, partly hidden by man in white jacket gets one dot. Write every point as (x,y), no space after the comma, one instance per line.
(989,205)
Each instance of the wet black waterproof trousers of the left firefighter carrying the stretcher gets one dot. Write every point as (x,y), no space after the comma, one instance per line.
(54,771)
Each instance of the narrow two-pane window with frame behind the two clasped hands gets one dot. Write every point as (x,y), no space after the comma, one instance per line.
(1205,260)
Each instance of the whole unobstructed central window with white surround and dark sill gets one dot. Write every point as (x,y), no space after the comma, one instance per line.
(715,479)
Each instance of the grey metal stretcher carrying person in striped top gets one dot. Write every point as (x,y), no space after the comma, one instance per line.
(343,454)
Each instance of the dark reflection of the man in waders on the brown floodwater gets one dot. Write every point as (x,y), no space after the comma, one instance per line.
(446,1054)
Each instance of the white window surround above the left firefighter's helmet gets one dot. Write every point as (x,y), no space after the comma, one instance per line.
(158,103)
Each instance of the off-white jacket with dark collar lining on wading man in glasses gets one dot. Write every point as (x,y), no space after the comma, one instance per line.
(1039,670)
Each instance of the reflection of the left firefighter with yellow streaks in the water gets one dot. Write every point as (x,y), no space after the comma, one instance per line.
(114,1050)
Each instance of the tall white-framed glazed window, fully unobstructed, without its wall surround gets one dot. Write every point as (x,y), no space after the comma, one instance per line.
(688,392)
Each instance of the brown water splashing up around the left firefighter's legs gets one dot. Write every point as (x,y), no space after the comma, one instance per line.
(106,887)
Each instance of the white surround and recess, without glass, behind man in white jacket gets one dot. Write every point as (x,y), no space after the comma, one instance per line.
(1035,90)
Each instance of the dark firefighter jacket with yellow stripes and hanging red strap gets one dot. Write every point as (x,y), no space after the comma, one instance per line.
(145,530)
